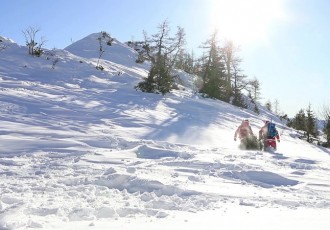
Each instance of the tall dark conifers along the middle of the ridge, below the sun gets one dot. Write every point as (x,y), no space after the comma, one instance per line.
(218,68)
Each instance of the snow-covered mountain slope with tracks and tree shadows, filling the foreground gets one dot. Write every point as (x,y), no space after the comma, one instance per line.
(81,148)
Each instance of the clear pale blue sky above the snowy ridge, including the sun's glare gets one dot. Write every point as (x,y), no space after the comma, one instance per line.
(283,43)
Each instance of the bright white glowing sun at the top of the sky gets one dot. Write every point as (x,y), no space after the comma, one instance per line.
(245,21)
